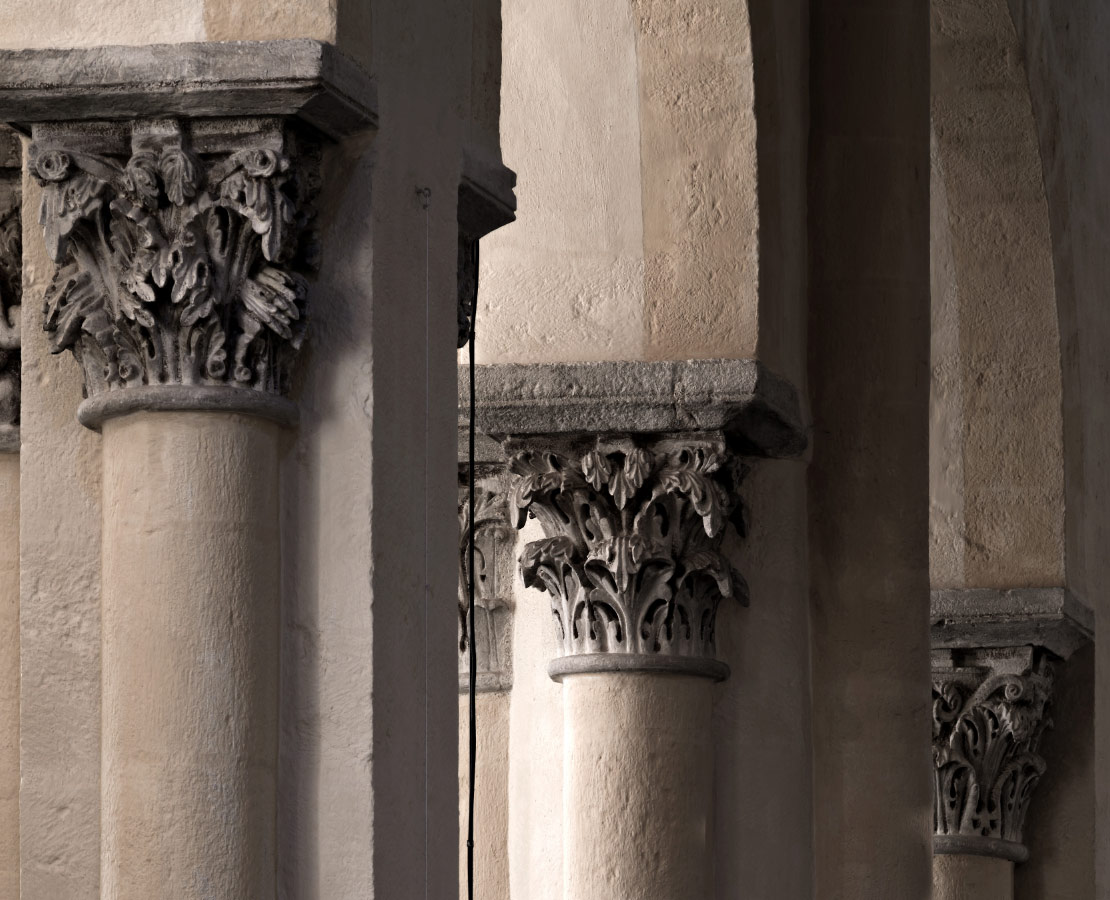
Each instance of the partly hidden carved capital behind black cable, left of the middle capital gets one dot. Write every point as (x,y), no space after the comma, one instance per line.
(495,540)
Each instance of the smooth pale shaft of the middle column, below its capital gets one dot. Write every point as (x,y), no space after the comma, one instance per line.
(638,787)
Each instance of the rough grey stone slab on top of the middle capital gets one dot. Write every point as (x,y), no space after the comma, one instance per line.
(756,410)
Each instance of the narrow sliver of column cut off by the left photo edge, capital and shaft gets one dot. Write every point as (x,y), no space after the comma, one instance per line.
(11,299)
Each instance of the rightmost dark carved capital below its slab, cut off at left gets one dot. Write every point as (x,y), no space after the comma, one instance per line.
(988,717)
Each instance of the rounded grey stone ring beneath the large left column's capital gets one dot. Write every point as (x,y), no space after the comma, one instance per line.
(94,412)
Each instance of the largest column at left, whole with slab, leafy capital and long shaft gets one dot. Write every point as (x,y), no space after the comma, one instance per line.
(183,247)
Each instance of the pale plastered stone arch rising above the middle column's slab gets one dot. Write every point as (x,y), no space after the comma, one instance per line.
(632,130)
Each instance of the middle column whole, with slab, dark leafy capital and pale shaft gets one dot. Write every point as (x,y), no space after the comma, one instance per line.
(632,470)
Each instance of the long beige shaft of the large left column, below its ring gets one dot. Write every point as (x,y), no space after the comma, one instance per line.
(191,586)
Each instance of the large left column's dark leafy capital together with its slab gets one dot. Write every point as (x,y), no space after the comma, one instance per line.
(178,186)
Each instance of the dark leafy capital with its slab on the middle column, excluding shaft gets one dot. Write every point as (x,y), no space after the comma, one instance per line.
(632,470)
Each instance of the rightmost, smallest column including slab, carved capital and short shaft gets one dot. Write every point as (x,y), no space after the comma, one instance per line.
(994,656)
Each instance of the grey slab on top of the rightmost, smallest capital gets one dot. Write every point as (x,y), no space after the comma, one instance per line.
(1050,618)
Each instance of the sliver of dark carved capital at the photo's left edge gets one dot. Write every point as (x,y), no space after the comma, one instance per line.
(12,281)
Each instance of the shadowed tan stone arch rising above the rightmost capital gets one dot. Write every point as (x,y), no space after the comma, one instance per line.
(997,502)
